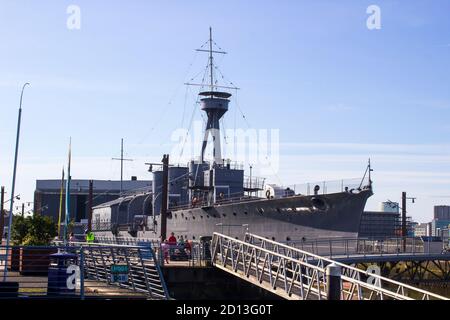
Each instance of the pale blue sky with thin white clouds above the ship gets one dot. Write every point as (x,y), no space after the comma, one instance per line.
(338,92)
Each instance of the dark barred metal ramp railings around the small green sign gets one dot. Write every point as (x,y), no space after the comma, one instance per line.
(144,273)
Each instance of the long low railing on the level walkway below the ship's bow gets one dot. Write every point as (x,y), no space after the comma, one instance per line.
(351,247)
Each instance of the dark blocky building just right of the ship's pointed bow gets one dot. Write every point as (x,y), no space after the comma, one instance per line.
(381,224)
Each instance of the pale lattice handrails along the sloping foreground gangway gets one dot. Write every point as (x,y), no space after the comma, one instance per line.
(234,249)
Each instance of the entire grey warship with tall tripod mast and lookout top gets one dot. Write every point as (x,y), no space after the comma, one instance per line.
(212,195)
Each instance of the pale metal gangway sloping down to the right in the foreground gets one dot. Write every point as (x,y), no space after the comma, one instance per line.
(295,274)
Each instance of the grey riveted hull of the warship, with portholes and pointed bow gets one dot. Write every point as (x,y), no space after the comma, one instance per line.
(283,219)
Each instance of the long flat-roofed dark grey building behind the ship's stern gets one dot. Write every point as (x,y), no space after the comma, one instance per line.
(48,193)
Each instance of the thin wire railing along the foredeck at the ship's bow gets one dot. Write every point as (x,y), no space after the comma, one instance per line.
(327,187)
